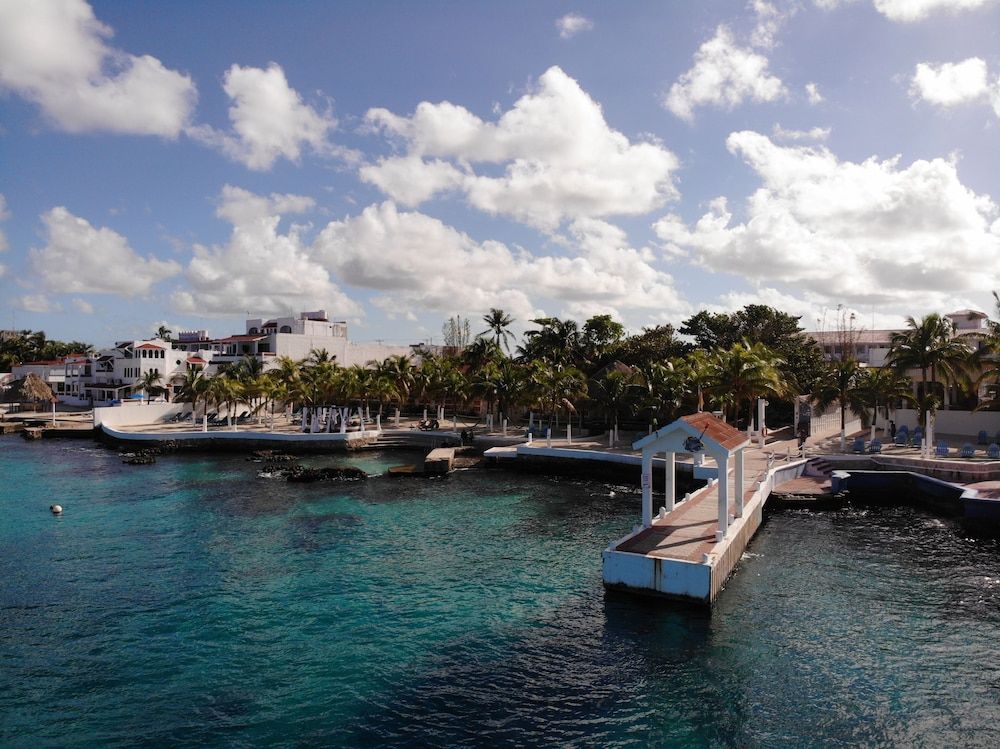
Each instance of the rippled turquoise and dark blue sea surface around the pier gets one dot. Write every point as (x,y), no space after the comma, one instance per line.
(191,603)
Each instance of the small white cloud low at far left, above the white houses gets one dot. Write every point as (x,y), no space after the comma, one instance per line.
(79,258)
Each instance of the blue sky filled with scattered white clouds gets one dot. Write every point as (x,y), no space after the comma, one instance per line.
(194,164)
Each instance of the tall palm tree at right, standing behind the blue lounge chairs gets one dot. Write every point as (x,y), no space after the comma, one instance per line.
(930,347)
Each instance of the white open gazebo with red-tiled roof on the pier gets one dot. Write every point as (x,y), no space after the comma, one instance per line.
(699,433)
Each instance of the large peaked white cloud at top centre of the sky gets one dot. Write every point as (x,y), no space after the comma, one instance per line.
(560,159)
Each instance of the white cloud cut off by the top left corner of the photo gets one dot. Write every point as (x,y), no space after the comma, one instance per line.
(53,53)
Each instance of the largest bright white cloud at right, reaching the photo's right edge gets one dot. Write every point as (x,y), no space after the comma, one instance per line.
(863,233)
